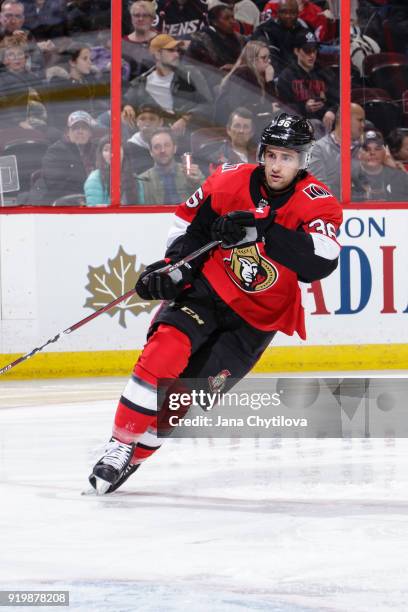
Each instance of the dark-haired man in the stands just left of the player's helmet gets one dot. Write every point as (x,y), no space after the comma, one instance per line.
(238,149)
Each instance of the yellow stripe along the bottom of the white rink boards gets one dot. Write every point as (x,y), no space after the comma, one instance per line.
(275,359)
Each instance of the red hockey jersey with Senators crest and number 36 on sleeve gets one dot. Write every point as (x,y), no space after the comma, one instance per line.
(262,291)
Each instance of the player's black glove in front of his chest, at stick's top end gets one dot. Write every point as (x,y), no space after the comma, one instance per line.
(236,227)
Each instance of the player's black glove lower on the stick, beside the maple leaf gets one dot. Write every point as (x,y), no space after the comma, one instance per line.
(153,285)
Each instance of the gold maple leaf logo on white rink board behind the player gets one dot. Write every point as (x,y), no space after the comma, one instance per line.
(106,285)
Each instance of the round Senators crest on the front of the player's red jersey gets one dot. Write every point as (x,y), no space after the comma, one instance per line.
(249,270)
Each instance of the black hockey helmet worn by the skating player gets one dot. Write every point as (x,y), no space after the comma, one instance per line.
(289,132)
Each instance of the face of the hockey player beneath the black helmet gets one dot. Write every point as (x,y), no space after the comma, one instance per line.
(281,167)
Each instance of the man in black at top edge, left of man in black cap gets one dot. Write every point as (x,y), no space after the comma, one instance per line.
(280,35)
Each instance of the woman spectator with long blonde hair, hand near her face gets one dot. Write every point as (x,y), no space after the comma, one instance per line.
(250,84)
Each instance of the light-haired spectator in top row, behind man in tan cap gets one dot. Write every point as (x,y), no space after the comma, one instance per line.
(135,46)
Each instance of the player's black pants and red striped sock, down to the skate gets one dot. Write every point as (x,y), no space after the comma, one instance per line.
(196,336)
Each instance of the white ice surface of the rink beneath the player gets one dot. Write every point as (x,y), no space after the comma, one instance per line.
(221,525)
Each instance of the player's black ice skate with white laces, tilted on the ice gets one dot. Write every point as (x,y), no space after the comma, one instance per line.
(113,468)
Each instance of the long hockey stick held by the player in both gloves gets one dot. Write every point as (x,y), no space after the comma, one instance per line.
(166,269)
